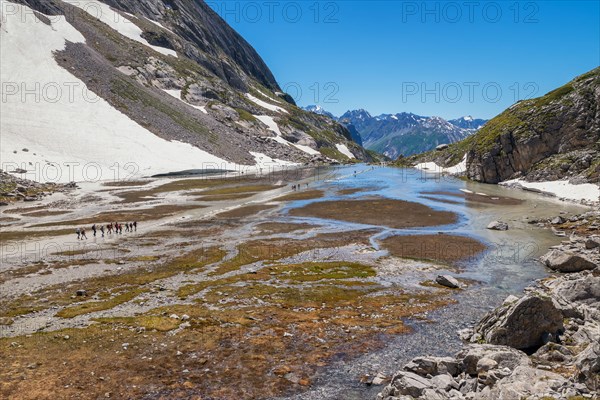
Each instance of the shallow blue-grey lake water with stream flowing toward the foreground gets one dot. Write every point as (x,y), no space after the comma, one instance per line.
(507,268)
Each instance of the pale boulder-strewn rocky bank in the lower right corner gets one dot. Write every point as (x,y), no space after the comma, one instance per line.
(543,345)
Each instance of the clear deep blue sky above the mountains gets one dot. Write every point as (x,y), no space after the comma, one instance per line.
(443,58)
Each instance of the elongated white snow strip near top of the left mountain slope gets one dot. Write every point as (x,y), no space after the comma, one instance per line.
(117,22)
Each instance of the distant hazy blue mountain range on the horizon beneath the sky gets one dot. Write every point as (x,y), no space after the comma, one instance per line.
(405,133)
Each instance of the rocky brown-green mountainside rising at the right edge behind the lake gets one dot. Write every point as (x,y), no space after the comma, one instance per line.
(553,137)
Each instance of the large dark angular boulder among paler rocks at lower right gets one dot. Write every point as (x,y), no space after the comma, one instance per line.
(521,325)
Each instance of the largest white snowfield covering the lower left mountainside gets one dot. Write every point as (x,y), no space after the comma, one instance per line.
(69,134)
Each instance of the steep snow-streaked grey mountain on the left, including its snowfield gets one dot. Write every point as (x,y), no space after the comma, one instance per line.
(157,85)
